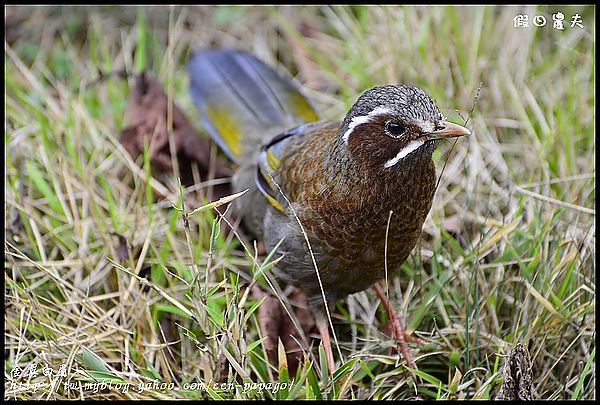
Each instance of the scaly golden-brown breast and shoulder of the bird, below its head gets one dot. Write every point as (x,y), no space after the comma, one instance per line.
(347,228)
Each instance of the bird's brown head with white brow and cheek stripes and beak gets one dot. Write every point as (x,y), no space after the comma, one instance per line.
(395,126)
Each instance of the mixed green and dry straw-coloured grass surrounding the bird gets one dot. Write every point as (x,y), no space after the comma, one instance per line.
(176,308)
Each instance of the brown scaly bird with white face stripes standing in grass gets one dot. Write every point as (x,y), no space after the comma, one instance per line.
(342,202)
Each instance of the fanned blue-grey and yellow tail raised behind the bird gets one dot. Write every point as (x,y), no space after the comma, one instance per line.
(242,101)
